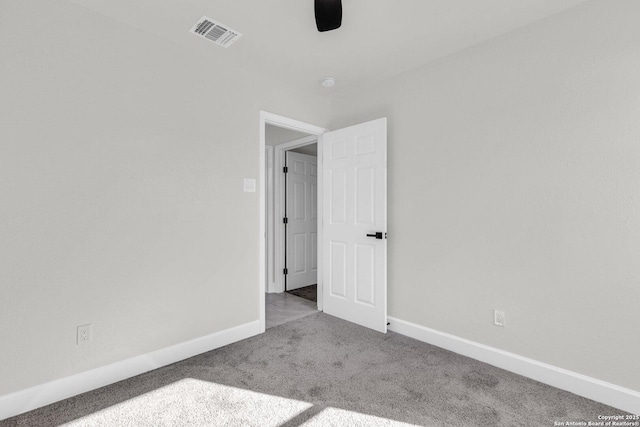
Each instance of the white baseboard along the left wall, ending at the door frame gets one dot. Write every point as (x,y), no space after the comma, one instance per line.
(44,394)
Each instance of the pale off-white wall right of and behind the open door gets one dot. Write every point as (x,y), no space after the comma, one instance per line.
(514,177)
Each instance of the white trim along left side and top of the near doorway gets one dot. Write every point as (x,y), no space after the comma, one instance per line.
(287,123)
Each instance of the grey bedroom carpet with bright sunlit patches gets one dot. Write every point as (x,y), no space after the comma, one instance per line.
(317,371)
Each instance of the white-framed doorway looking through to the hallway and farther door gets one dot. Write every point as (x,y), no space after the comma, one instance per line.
(290,218)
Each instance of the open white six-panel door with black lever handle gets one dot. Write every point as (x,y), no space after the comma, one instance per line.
(355,224)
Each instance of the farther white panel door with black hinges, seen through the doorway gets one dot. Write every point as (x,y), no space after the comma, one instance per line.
(302,220)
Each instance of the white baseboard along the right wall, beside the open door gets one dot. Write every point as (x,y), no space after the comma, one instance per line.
(582,385)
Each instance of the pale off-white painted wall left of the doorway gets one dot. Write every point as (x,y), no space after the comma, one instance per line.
(122,161)
